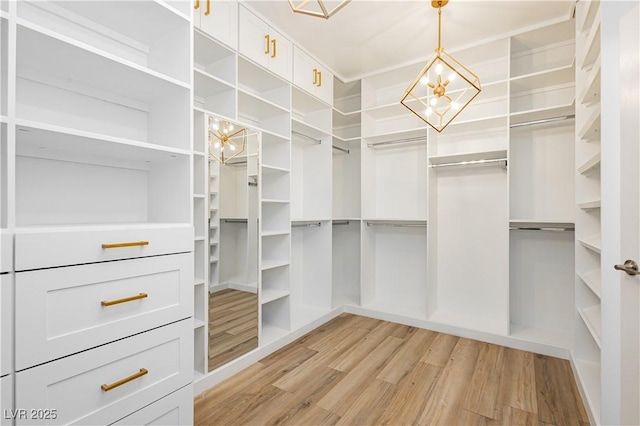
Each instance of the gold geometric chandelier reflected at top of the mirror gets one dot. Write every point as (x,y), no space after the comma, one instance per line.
(225,141)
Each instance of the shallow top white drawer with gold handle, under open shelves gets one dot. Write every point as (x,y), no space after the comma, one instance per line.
(37,249)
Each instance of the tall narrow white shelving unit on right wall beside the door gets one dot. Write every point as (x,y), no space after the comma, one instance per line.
(588,281)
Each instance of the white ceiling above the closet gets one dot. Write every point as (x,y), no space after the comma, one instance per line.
(367,36)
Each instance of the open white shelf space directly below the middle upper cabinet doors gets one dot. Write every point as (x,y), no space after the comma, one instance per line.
(263,85)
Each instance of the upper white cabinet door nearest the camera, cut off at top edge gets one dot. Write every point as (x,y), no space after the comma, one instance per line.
(221,21)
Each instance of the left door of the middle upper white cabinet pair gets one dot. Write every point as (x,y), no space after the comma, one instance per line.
(254,40)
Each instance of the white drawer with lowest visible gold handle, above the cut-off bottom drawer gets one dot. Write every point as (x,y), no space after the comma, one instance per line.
(73,385)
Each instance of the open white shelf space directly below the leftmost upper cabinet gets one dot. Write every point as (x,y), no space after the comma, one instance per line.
(212,58)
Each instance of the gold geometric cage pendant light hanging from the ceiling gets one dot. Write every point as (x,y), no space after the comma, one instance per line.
(443,88)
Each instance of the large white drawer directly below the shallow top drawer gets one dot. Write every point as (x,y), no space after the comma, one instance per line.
(60,311)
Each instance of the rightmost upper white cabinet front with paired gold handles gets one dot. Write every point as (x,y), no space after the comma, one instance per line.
(312,77)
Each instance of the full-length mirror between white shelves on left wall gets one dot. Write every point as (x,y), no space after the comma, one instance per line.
(233,241)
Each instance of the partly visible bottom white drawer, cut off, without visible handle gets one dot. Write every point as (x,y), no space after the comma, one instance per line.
(172,410)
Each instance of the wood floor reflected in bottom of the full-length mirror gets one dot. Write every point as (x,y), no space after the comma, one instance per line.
(233,325)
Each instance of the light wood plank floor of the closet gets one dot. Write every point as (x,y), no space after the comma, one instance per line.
(361,371)
